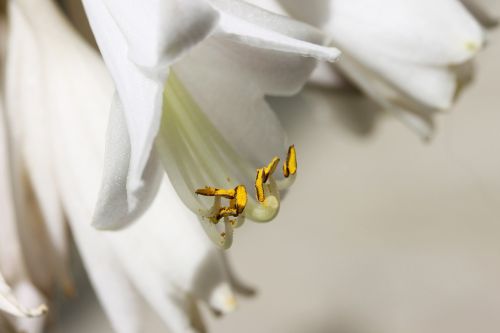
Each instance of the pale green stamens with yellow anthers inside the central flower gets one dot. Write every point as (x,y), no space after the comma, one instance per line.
(209,175)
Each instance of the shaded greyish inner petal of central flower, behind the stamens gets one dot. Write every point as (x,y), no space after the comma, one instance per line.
(235,105)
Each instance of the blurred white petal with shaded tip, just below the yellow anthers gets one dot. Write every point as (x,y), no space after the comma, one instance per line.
(164,277)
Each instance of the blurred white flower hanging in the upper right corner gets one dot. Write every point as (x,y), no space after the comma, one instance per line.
(406,55)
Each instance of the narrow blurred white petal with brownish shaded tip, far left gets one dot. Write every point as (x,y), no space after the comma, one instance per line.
(40,219)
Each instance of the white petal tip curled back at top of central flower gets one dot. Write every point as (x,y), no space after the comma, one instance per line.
(158,31)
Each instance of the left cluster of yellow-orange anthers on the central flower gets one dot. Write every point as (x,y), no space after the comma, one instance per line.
(238,200)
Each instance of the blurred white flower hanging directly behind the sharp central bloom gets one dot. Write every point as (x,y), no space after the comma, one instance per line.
(166,259)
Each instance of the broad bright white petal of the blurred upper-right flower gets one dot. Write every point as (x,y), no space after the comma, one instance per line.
(420,43)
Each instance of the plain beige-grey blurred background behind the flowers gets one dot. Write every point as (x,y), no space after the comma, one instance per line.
(381,232)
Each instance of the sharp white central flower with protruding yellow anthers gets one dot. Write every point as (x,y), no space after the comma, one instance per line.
(191,77)
